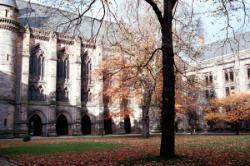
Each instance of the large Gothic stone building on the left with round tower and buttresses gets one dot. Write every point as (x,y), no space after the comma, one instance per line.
(48,86)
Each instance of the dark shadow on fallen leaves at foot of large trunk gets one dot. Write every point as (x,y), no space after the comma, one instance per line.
(153,159)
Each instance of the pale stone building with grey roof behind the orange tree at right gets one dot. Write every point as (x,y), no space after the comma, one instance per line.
(223,70)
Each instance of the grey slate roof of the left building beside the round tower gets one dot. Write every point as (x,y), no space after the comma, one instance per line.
(52,19)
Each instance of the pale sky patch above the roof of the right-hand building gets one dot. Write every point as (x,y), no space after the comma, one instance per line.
(213,24)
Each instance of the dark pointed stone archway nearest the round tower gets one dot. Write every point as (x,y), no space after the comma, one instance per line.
(36,122)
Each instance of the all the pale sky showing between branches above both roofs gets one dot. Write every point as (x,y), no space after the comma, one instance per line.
(212,23)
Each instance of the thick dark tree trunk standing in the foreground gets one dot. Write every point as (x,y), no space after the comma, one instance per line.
(168,94)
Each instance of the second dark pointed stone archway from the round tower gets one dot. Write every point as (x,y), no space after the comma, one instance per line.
(63,122)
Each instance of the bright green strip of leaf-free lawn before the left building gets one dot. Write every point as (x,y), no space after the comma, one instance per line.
(39,149)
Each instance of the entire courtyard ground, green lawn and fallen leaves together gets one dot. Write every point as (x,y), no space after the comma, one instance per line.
(128,150)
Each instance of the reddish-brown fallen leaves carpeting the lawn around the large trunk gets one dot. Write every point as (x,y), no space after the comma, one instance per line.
(146,151)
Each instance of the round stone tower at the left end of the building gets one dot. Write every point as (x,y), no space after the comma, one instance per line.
(9,29)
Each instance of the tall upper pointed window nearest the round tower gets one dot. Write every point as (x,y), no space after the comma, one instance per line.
(36,65)
